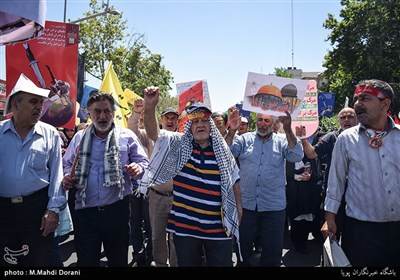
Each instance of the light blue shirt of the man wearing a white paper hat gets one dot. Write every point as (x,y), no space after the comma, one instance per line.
(34,163)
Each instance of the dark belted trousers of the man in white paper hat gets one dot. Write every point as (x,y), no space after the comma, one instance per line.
(21,241)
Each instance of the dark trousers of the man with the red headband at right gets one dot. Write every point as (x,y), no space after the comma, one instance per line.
(371,244)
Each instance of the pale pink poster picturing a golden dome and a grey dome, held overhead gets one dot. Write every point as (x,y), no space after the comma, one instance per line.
(272,95)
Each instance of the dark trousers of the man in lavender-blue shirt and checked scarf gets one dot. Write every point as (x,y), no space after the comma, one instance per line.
(107,226)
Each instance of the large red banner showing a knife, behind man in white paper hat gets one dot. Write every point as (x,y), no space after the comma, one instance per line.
(50,61)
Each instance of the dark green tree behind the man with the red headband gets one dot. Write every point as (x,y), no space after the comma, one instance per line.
(365,46)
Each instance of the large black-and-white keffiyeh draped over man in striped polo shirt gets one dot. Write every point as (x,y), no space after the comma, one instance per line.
(171,153)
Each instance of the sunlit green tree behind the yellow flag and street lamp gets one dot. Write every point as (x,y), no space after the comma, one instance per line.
(103,39)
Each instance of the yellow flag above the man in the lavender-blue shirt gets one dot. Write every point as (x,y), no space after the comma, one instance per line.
(112,86)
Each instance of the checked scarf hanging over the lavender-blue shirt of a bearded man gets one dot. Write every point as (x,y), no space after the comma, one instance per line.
(113,175)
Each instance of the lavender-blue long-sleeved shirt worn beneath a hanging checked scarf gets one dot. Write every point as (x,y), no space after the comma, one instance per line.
(96,194)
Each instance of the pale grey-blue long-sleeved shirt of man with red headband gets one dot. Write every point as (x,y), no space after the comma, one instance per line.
(373,192)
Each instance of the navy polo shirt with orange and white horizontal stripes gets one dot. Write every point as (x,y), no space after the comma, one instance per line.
(196,210)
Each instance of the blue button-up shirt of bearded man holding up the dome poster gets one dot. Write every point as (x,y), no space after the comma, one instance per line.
(262,169)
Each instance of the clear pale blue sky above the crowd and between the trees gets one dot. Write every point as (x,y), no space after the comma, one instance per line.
(220,41)
